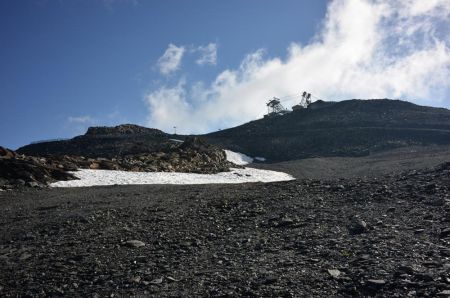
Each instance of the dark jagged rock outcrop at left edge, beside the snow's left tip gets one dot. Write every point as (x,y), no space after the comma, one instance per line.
(19,170)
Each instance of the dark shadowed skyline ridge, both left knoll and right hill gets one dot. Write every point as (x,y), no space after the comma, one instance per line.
(346,128)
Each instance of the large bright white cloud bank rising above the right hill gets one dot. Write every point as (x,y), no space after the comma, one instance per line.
(365,49)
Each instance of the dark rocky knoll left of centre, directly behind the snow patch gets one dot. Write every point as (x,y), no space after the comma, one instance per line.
(131,148)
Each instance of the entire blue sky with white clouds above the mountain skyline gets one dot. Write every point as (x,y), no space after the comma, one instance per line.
(204,65)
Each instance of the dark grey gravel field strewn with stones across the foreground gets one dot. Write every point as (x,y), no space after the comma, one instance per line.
(385,236)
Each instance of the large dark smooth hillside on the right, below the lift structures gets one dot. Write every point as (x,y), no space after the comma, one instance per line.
(347,128)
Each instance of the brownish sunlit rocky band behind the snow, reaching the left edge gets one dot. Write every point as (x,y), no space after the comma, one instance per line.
(192,156)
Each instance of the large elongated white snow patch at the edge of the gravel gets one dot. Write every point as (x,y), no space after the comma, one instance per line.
(110,177)
